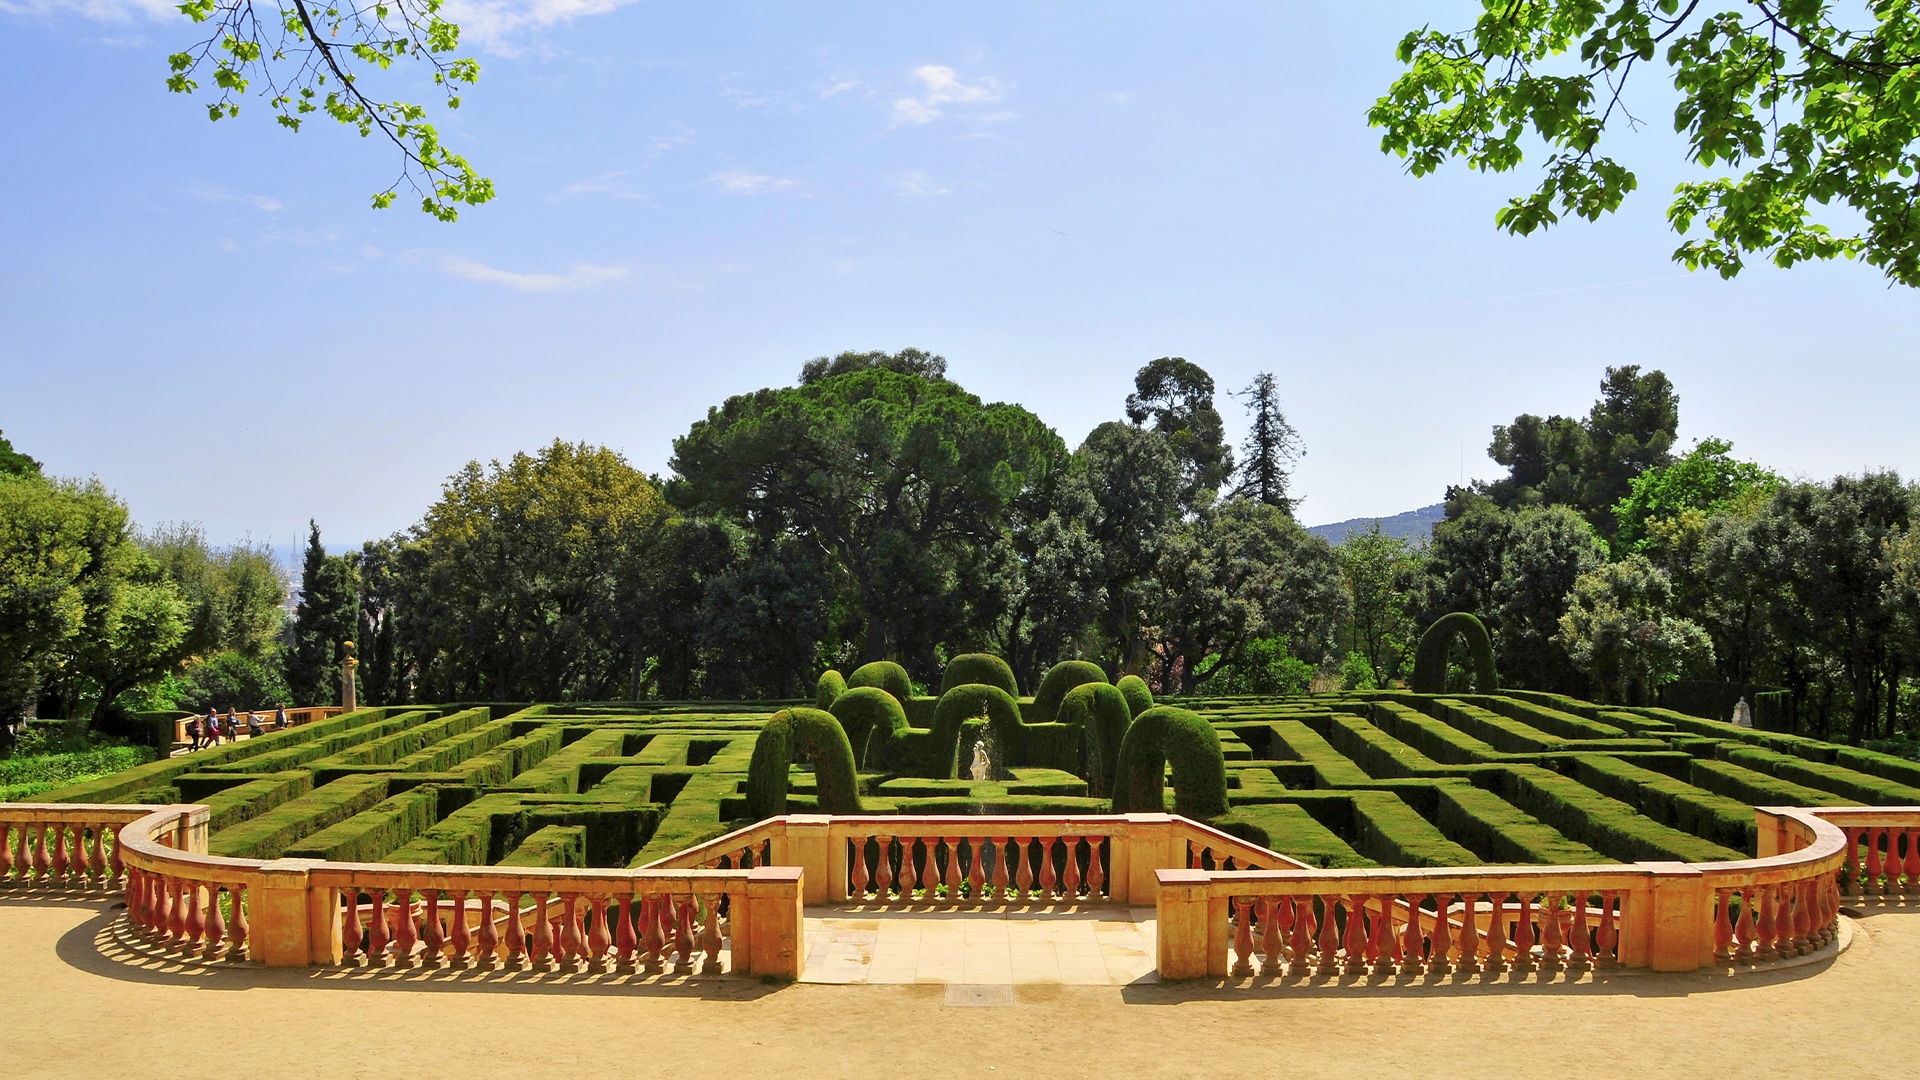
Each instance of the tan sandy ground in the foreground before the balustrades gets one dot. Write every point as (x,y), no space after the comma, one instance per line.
(80,998)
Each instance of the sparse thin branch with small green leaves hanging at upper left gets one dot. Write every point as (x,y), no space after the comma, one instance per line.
(312,61)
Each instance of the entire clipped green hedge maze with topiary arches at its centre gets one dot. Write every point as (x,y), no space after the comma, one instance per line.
(1337,781)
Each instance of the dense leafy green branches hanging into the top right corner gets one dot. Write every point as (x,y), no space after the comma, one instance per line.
(1794,107)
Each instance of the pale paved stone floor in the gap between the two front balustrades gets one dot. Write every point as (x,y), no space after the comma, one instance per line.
(1072,946)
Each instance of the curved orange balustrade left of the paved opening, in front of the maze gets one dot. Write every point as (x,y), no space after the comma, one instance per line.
(308,912)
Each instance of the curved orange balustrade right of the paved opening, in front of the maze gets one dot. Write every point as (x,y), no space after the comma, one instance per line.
(1408,921)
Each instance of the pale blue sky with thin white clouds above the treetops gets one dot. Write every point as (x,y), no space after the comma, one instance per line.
(696,199)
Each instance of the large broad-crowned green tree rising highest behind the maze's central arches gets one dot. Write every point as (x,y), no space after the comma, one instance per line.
(888,474)
